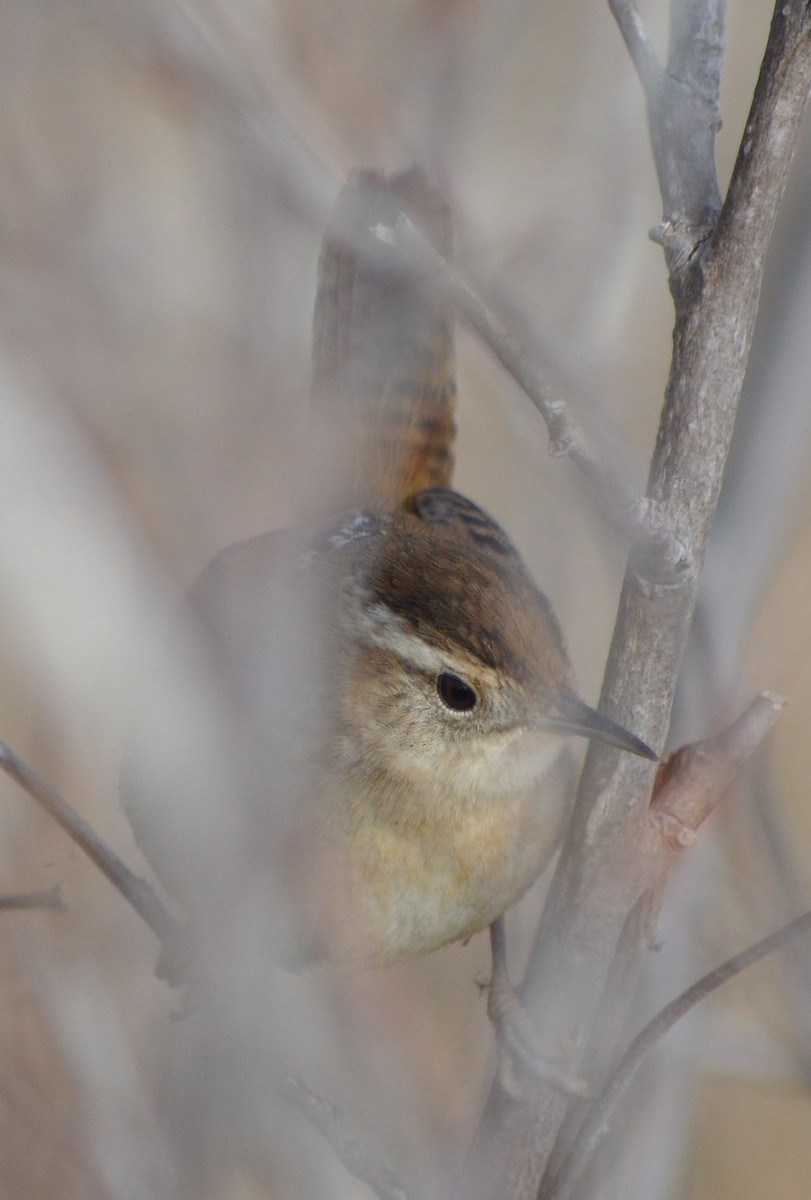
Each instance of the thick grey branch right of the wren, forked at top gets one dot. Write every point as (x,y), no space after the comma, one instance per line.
(717,293)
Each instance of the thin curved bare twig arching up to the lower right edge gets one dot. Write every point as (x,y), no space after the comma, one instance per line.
(596,1127)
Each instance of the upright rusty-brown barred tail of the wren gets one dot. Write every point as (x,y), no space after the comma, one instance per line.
(383,346)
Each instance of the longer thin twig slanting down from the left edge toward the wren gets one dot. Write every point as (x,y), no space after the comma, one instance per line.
(137,892)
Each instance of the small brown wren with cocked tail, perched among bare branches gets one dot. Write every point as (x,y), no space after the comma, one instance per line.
(431,740)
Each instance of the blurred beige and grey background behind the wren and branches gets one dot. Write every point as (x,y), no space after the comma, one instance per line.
(167,172)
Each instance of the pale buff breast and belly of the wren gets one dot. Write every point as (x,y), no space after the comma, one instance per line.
(411,887)
